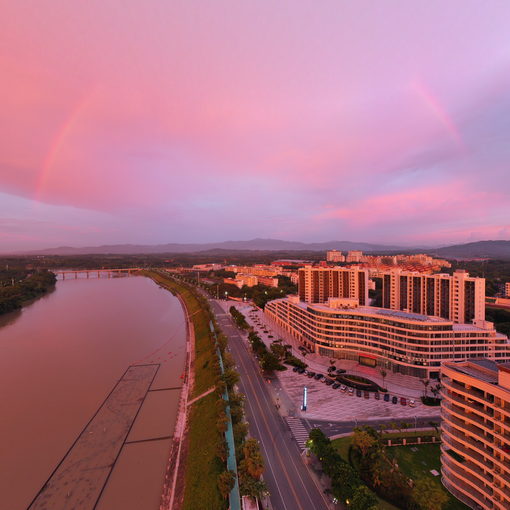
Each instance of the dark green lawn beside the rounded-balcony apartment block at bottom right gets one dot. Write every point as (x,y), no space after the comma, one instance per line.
(416,461)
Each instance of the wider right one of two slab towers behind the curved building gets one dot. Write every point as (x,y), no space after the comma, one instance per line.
(458,297)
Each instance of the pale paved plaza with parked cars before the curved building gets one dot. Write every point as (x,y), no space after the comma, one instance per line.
(325,403)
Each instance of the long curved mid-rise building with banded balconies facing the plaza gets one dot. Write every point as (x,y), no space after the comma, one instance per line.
(402,342)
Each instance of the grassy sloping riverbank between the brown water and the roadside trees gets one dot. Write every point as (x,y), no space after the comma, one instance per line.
(194,482)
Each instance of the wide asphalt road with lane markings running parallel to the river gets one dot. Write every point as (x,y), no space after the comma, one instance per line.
(290,484)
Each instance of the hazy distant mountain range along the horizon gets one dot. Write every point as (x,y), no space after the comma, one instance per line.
(480,249)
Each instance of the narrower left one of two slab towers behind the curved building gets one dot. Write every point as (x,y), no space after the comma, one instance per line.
(318,284)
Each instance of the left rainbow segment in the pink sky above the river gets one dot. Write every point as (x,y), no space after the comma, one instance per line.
(59,141)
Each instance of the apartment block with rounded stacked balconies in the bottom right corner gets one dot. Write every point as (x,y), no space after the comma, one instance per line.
(475,429)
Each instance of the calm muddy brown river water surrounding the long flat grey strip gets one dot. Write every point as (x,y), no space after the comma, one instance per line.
(59,359)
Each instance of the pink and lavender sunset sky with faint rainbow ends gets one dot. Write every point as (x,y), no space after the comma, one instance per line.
(191,121)
